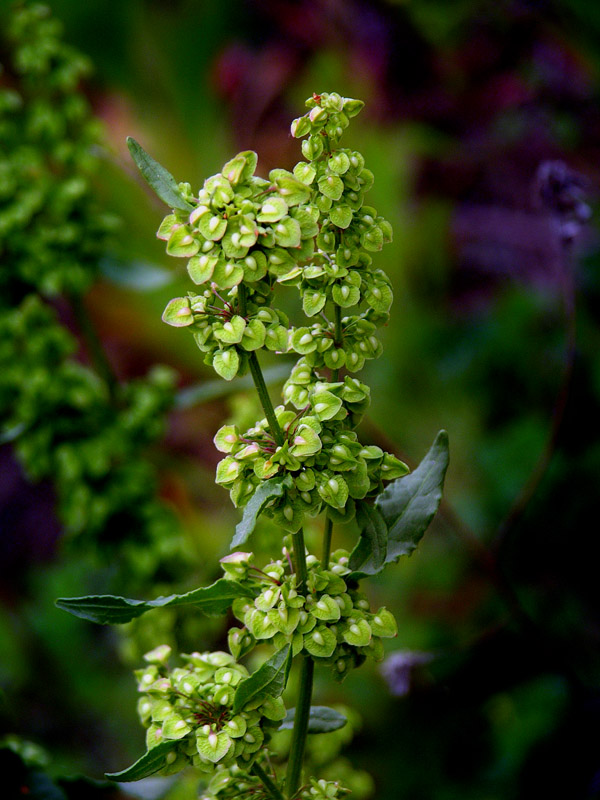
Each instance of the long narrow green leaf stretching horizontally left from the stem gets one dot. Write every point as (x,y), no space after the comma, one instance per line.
(109,609)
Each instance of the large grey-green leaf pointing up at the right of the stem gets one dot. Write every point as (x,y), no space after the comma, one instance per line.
(409,504)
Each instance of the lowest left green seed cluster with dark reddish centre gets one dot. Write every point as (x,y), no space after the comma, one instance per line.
(192,707)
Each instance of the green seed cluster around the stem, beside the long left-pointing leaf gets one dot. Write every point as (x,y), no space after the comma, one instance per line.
(331,622)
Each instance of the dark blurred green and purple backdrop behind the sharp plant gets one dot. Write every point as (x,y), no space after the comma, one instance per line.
(493,691)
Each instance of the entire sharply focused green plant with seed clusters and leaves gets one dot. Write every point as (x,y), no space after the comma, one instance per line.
(245,239)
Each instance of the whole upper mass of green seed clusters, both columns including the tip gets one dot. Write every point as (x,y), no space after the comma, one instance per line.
(309,229)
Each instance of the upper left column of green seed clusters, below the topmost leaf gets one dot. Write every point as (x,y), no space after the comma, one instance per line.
(242,229)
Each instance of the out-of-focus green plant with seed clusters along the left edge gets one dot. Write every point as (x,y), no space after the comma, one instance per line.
(74,424)
